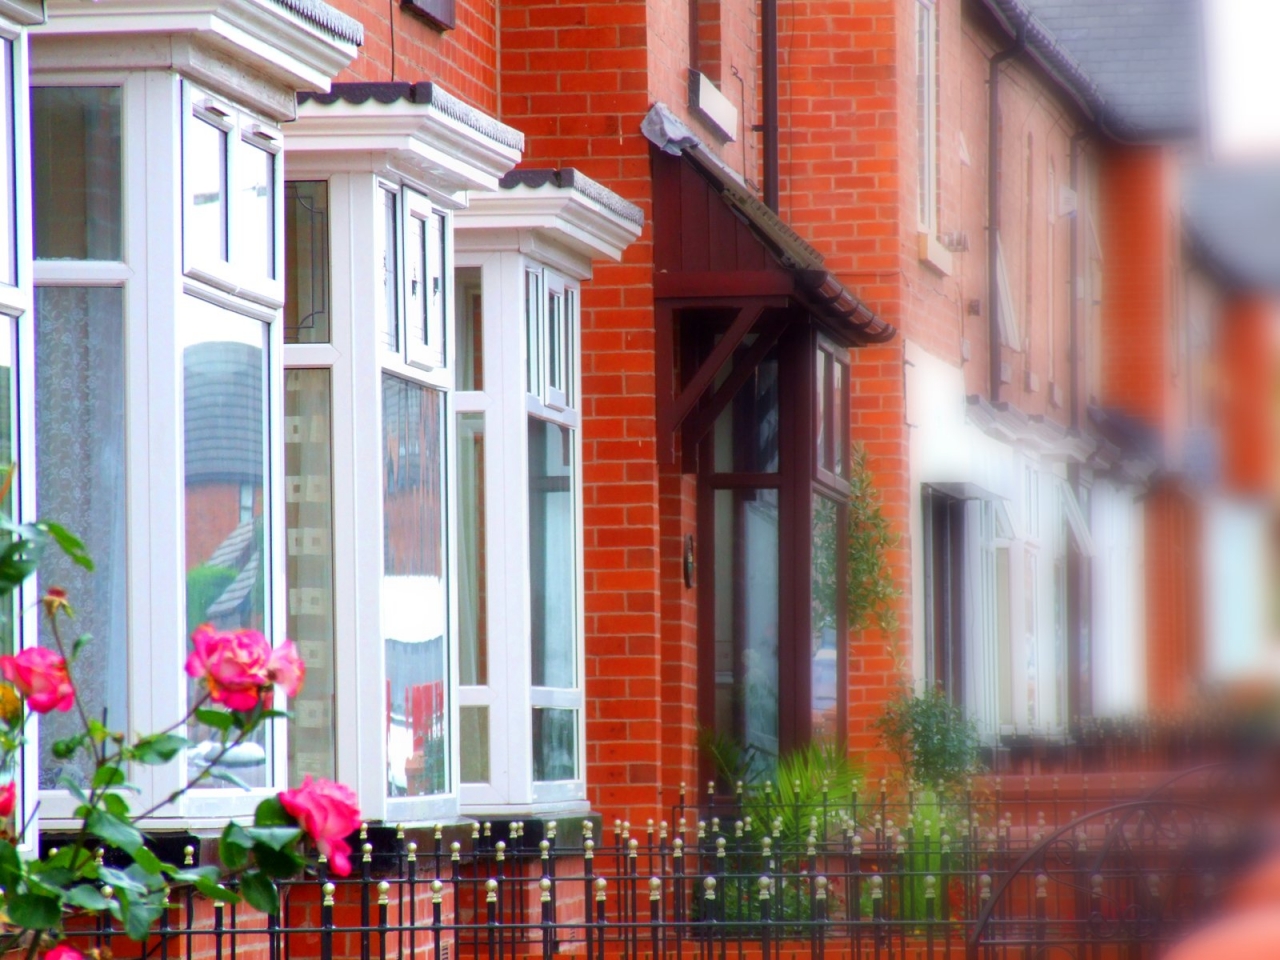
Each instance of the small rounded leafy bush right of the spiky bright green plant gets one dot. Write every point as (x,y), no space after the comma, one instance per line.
(934,740)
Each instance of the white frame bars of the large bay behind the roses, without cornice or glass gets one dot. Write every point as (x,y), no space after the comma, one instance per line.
(157,289)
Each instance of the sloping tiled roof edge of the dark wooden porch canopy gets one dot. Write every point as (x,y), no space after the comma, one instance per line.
(826,294)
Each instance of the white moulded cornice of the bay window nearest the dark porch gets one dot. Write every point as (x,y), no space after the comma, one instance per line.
(563,216)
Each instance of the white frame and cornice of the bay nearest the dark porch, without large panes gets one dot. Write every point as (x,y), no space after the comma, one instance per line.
(533,248)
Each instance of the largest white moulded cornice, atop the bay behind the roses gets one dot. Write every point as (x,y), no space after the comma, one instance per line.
(258,36)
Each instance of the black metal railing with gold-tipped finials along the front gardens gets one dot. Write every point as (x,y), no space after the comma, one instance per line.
(879,883)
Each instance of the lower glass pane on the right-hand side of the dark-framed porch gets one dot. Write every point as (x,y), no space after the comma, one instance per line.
(826,596)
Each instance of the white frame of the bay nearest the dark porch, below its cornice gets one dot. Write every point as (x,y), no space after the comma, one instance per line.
(515,348)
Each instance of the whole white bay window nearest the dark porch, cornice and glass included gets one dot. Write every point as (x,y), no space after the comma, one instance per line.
(523,254)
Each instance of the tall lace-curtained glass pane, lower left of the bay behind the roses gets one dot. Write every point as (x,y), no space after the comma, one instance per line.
(80,483)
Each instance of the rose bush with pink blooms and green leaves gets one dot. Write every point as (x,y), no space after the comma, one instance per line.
(237,674)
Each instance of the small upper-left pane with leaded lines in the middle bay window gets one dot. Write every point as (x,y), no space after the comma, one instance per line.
(307,262)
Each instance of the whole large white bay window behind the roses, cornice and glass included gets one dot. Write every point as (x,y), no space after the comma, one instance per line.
(157,405)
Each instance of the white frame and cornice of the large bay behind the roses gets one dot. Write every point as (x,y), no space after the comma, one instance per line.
(241,66)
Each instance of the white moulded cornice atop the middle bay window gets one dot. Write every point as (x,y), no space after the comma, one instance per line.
(419,144)
